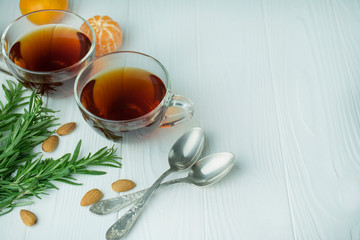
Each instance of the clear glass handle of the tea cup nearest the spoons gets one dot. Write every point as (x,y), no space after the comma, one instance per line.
(180,109)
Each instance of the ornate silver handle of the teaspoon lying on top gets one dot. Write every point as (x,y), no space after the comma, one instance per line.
(123,225)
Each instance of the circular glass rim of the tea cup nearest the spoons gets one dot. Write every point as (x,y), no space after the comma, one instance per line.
(167,94)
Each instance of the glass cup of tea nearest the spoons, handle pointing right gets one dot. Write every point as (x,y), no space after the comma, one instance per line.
(128,92)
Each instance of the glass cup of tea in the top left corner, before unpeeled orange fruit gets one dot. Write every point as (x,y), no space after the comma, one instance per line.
(45,50)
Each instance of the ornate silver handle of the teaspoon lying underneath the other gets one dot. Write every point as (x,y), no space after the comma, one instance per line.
(114,204)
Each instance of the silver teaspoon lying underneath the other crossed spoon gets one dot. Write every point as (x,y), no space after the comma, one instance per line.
(205,171)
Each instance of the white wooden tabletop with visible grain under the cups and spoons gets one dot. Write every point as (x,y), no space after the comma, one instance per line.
(275,82)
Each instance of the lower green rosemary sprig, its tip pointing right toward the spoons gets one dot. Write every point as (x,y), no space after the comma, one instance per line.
(35,177)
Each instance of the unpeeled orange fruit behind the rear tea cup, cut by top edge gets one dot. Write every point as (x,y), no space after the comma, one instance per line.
(27,6)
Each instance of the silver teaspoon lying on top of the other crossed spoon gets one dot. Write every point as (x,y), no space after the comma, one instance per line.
(183,154)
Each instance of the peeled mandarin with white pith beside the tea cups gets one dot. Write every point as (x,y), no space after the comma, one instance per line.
(108,34)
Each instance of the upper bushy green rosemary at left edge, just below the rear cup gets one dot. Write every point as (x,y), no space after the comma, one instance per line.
(21,132)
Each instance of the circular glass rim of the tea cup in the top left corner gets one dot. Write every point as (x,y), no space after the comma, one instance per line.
(81,61)
